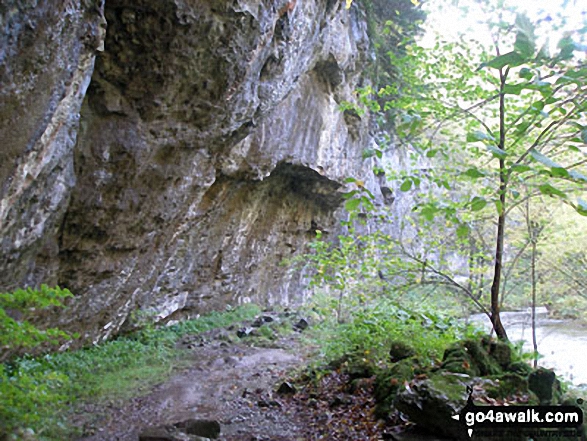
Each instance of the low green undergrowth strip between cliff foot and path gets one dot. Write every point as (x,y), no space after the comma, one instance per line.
(37,393)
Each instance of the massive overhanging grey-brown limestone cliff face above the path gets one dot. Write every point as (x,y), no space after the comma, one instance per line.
(207,148)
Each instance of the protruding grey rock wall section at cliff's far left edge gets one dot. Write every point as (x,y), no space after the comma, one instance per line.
(47,51)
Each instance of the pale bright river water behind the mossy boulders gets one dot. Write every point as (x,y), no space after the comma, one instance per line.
(562,343)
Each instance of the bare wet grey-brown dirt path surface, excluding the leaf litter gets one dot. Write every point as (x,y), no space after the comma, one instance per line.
(233,384)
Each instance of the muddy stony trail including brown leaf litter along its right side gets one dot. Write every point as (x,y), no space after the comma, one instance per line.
(240,385)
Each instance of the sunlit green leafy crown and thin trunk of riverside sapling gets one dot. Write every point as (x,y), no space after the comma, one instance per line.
(489,122)
